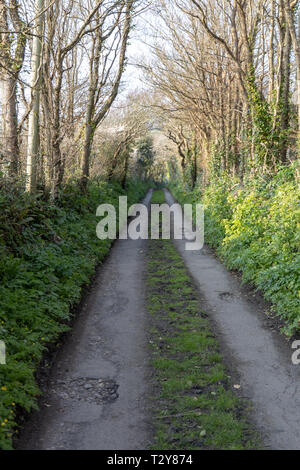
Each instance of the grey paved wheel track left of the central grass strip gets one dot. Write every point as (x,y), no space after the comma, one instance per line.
(96,397)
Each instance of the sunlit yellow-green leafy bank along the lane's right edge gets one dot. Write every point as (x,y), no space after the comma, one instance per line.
(256,230)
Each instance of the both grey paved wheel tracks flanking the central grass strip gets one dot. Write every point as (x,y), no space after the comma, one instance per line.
(96,397)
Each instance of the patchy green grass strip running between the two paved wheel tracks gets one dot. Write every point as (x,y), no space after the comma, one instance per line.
(195,402)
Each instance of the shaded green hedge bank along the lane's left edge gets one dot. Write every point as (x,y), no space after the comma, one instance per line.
(47,254)
